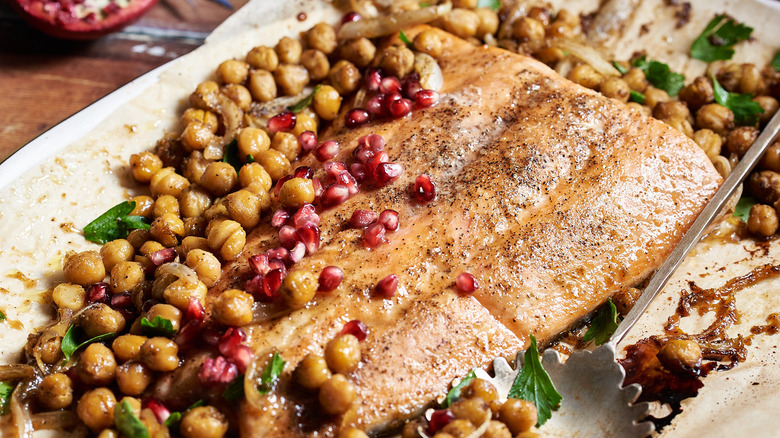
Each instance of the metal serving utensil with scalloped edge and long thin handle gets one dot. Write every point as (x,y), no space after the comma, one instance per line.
(594,402)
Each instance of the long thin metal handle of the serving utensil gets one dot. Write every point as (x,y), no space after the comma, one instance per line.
(696,231)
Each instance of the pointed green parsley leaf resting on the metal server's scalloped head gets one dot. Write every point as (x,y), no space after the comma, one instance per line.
(534,384)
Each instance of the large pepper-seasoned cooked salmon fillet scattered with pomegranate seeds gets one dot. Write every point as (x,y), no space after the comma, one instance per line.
(553,196)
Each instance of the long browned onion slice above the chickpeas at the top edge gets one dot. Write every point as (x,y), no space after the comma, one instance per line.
(387,24)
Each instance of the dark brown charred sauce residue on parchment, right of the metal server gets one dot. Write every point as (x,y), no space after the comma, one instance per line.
(719,351)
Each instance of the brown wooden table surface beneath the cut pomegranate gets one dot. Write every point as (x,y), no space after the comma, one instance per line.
(44,80)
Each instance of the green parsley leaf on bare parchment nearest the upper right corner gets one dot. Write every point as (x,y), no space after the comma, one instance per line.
(716,40)
